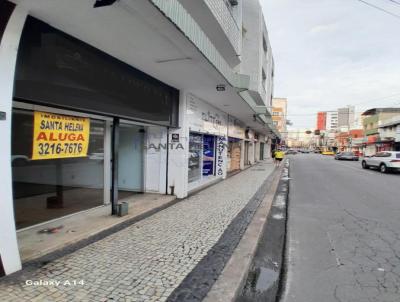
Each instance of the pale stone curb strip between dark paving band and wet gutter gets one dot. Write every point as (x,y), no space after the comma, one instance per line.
(230,283)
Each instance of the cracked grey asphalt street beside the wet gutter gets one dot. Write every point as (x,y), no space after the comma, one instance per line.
(343,241)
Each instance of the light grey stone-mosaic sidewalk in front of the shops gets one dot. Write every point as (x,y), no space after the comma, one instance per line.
(147,260)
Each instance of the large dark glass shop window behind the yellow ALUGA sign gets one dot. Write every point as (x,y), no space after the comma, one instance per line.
(50,188)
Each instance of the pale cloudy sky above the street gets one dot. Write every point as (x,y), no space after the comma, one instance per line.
(333,53)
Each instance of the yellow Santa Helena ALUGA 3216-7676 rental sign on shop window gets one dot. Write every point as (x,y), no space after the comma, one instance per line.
(59,136)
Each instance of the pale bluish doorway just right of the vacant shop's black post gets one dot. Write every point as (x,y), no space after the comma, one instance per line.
(130,160)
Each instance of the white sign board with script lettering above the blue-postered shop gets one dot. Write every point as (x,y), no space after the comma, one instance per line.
(205,118)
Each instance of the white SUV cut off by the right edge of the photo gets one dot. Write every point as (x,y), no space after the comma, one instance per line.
(384,161)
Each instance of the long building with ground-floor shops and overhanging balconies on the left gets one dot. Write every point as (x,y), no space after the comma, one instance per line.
(193,75)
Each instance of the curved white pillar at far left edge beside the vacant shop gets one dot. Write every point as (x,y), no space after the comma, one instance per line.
(8,53)
